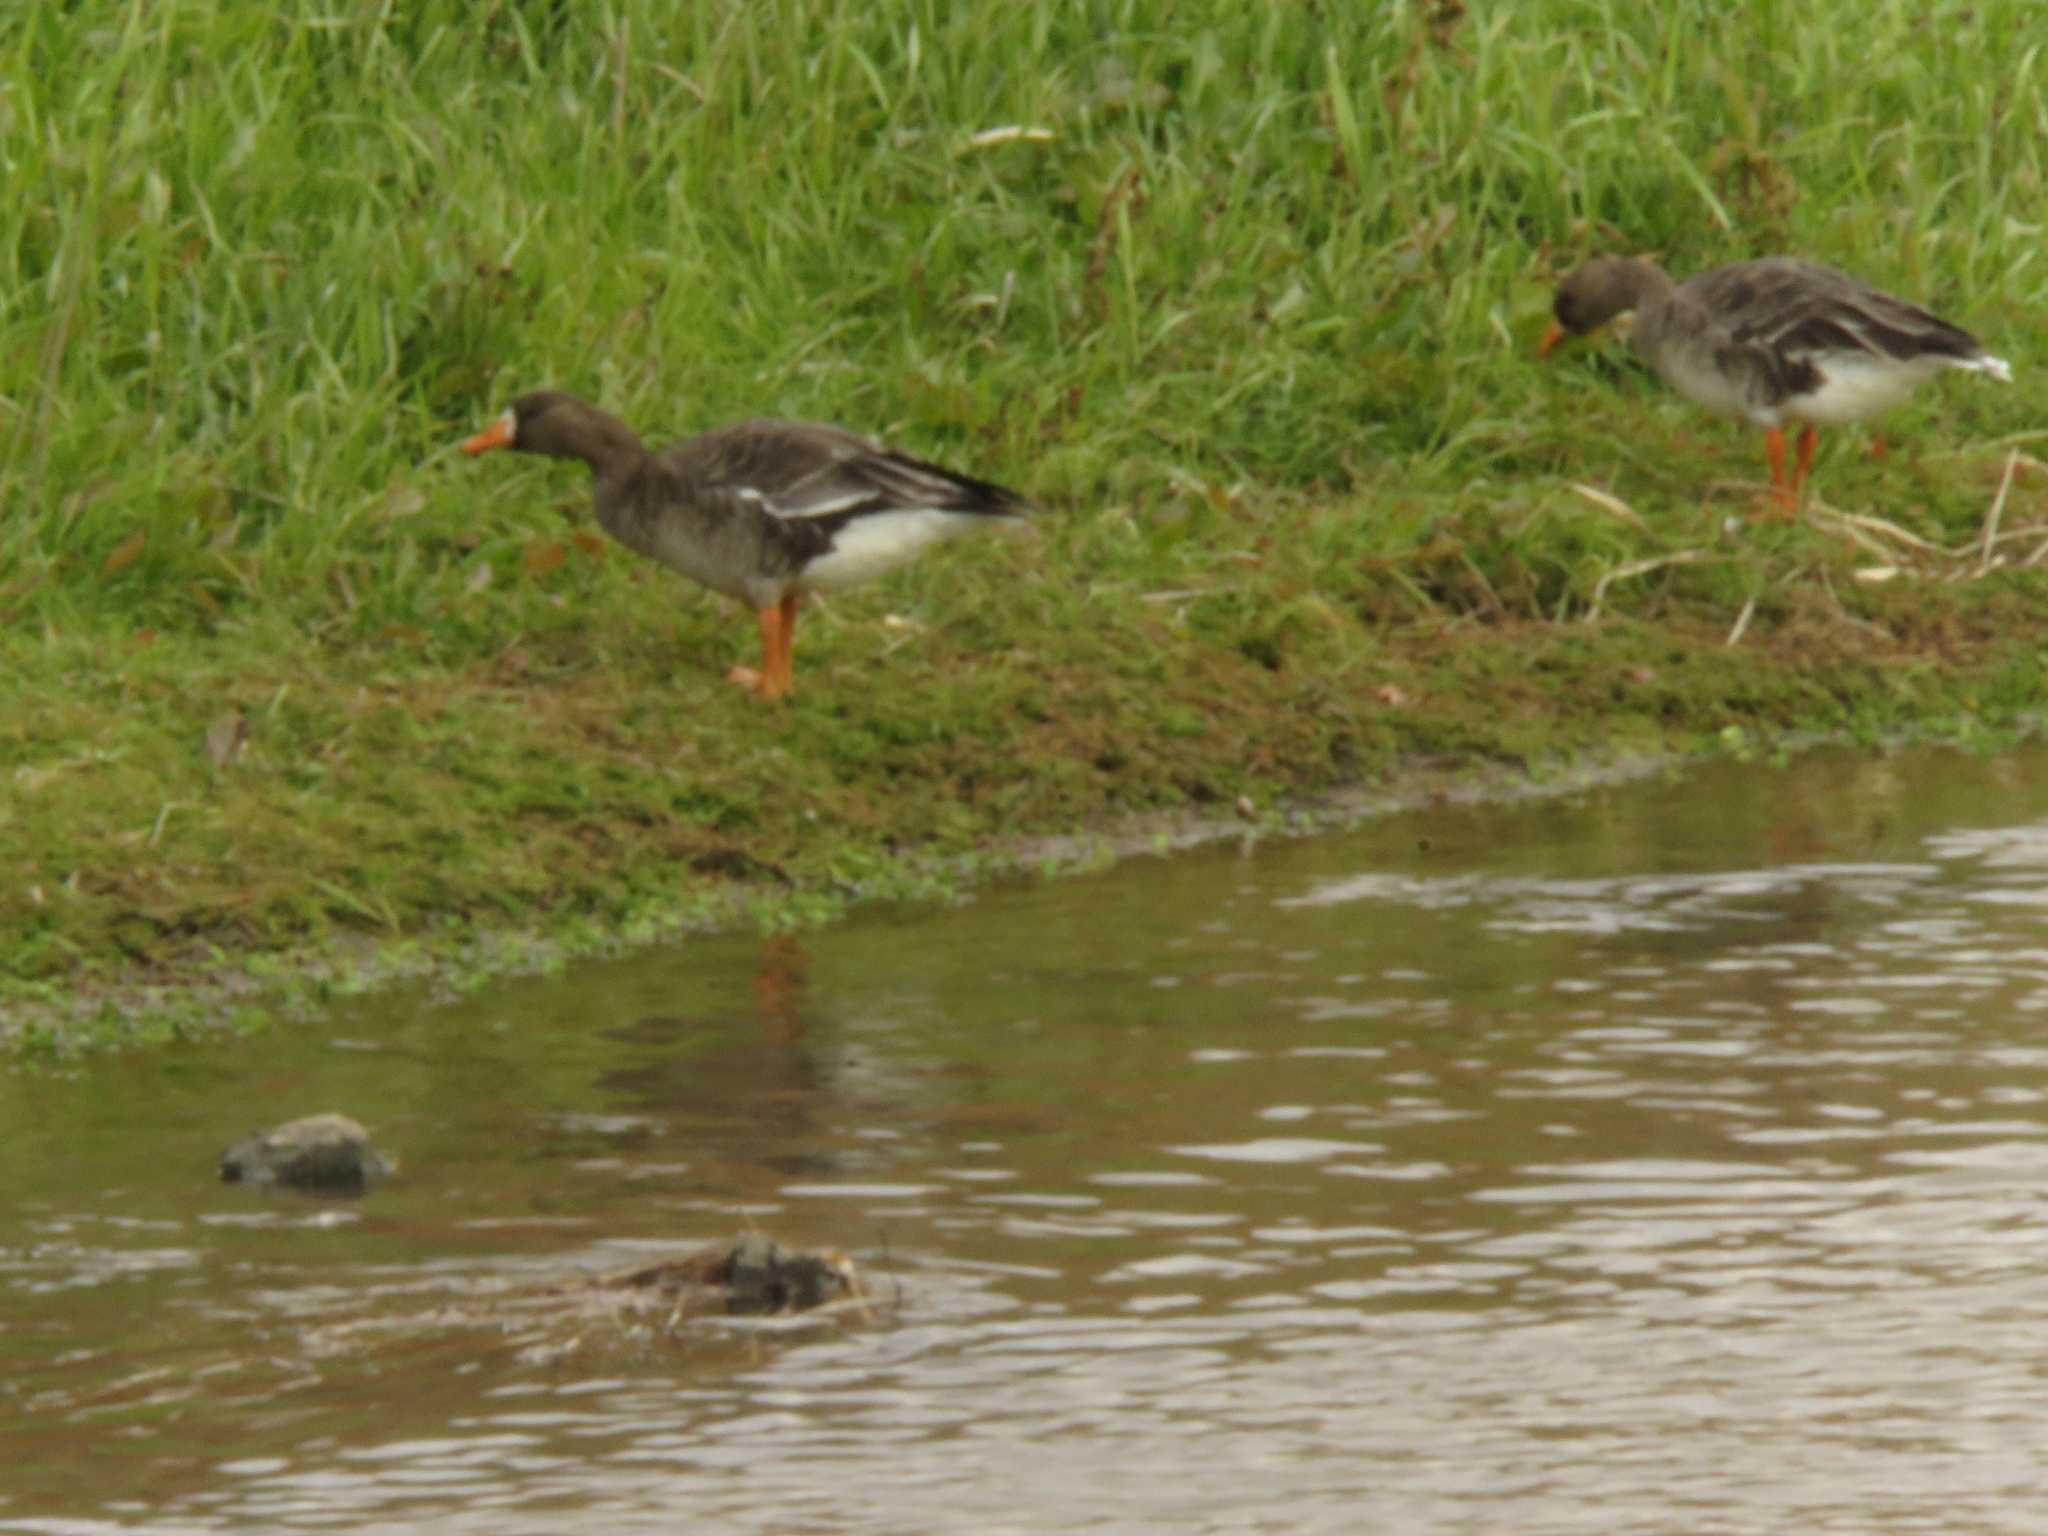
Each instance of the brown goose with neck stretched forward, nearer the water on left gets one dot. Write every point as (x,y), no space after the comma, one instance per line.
(761,511)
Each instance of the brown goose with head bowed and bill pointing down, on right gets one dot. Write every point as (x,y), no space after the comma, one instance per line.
(1770,343)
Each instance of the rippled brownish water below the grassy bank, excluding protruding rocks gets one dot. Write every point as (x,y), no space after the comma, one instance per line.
(1664,1158)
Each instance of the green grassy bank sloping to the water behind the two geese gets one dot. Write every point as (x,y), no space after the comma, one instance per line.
(1246,298)
